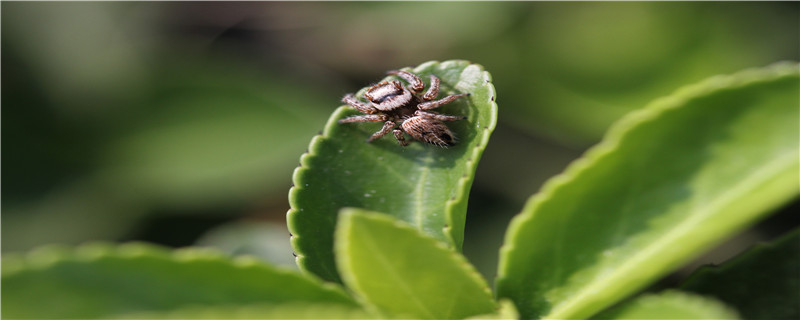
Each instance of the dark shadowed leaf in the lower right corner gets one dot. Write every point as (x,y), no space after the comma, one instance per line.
(763,283)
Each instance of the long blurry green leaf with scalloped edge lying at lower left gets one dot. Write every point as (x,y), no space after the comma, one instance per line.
(103,280)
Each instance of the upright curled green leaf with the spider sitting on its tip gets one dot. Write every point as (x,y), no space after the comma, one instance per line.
(422,184)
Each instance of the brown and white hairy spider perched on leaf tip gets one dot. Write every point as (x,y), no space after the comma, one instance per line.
(397,105)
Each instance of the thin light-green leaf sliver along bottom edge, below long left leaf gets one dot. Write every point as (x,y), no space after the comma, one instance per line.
(259,311)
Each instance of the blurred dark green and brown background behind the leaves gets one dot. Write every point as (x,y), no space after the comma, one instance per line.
(180,123)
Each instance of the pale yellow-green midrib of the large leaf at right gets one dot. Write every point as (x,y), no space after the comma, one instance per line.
(572,306)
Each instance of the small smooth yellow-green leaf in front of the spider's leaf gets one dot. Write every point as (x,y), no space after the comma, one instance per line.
(393,268)
